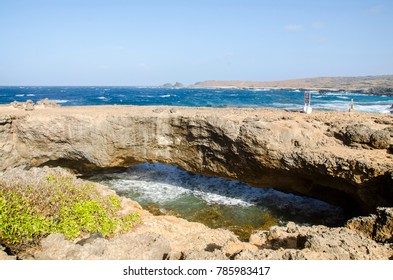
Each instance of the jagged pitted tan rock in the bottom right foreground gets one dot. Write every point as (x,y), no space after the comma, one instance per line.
(316,242)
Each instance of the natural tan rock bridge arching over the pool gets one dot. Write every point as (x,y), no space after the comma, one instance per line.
(342,158)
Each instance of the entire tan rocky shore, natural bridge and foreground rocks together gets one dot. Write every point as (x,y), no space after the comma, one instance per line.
(342,158)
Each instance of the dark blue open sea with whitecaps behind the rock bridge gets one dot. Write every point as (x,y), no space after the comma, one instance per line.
(83,96)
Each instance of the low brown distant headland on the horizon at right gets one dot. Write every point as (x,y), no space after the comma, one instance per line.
(367,84)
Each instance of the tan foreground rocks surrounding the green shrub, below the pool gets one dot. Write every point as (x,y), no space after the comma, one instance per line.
(172,238)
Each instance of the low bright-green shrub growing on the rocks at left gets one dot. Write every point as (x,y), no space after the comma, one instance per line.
(57,203)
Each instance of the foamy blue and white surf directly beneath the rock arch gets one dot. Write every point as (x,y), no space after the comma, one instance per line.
(160,184)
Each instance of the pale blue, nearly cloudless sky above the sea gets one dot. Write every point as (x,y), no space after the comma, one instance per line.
(151,42)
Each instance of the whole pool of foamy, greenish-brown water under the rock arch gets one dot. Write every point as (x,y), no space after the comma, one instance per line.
(216,202)
